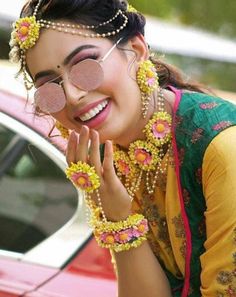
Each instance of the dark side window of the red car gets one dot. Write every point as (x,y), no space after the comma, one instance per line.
(35,197)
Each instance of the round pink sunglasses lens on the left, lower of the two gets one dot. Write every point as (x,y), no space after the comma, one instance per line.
(50,98)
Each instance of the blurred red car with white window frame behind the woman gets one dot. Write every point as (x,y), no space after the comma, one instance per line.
(46,246)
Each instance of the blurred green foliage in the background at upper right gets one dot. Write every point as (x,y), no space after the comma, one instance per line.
(216,16)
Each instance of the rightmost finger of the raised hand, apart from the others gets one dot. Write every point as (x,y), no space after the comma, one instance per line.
(108,167)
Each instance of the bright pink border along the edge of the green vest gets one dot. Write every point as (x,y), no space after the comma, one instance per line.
(178,95)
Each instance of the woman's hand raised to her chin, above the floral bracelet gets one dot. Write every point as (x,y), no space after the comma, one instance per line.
(116,202)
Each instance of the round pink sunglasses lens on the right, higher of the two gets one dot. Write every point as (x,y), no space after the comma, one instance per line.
(87,75)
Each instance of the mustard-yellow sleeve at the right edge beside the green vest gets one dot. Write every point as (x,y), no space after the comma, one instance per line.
(218,276)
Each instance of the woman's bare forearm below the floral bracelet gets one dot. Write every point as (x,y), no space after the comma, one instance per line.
(140,274)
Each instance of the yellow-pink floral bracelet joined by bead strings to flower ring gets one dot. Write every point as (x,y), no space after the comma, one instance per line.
(117,236)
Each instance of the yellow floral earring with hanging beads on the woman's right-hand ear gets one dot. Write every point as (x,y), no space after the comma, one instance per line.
(147,80)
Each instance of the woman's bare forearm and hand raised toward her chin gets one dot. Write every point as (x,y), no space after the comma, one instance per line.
(138,270)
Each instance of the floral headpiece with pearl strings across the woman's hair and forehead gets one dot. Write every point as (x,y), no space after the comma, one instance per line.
(26,32)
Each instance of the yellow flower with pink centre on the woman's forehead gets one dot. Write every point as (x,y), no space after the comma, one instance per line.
(26,32)
